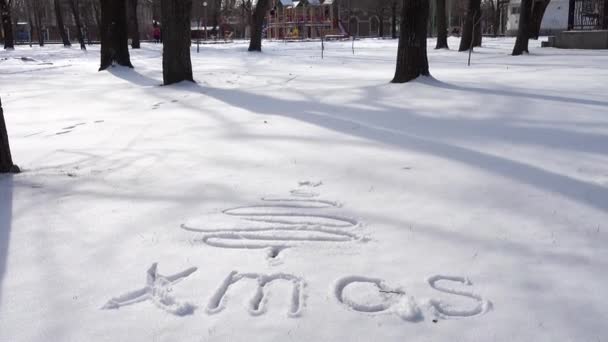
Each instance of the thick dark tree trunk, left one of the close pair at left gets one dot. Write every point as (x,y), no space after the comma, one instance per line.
(114,37)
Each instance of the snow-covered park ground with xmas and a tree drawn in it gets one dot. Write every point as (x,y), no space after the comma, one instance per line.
(285,197)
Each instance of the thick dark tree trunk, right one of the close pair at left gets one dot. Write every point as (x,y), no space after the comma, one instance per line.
(177,65)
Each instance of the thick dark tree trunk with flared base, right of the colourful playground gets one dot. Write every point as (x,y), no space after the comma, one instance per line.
(411,53)
